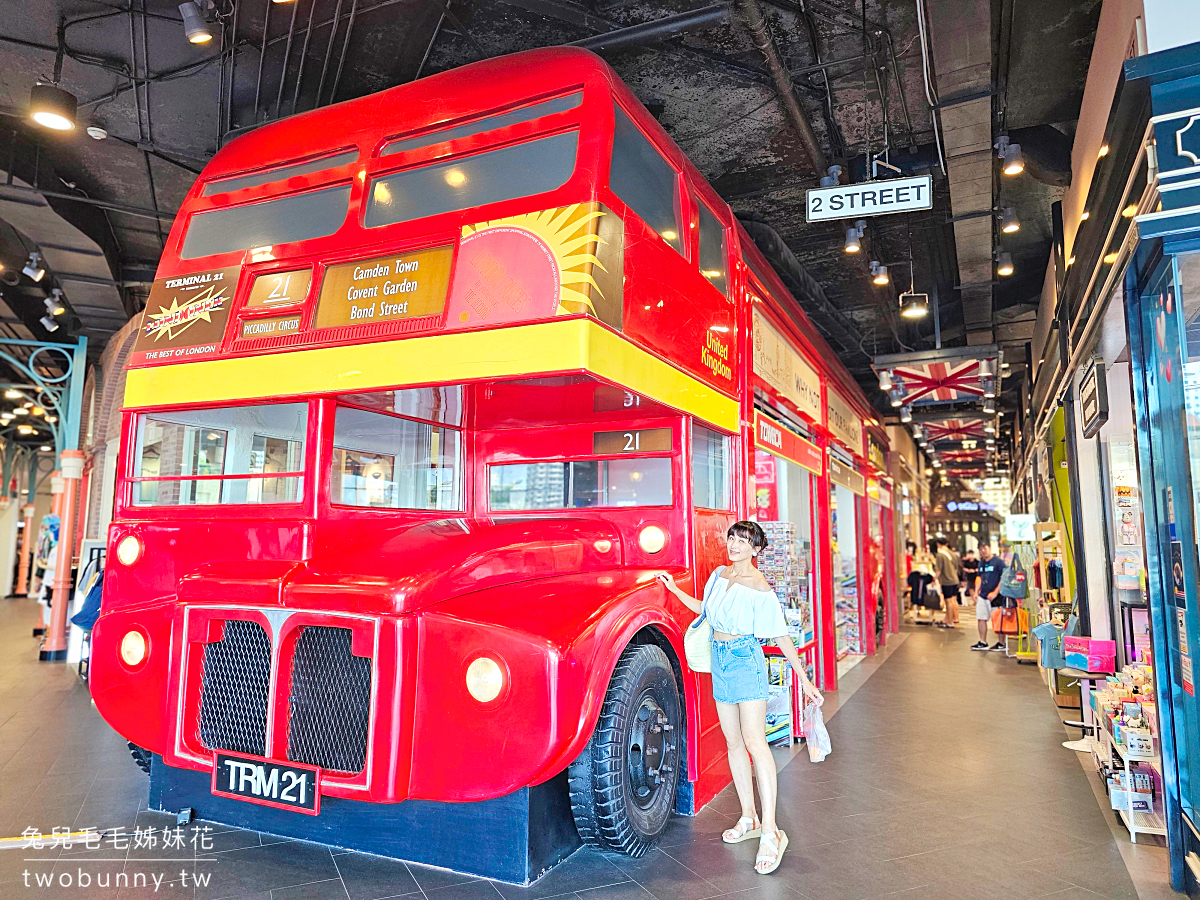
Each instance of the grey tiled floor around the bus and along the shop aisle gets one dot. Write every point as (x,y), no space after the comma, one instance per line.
(947,781)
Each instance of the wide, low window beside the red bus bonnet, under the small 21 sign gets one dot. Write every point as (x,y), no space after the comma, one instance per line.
(581,484)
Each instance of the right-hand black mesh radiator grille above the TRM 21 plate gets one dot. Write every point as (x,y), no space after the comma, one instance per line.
(331,701)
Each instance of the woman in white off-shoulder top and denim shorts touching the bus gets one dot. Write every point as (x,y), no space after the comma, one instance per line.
(742,608)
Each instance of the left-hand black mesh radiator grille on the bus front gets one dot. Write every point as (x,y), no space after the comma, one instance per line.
(235,689)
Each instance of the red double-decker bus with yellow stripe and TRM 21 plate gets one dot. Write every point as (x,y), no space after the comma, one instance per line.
(430,386)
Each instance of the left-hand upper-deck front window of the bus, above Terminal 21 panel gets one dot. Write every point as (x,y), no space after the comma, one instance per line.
(296,218)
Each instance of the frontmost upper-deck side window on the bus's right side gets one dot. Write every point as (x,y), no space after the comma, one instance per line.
(645,182)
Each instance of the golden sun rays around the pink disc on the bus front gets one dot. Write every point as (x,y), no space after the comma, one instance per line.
(571,235)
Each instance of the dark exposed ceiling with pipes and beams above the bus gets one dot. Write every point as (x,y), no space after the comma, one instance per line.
(856,69)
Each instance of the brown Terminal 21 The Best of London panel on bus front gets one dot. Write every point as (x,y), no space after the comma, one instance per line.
(185,316)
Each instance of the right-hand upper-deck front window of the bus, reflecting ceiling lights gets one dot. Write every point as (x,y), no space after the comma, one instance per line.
(505,175)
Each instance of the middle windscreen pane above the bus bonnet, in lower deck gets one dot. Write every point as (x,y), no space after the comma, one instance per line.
(388,463)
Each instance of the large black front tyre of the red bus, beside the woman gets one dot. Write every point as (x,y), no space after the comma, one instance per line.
(623,784)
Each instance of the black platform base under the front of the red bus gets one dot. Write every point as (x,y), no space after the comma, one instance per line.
(517,838)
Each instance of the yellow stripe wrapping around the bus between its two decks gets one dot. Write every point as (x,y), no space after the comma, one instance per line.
(567,346)
